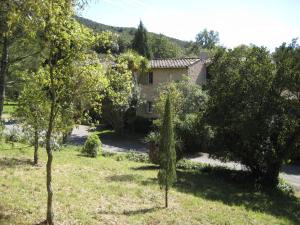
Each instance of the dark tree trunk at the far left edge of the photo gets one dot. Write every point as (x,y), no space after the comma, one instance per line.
(3,72)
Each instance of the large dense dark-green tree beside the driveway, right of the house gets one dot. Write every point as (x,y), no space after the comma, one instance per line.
(253,120)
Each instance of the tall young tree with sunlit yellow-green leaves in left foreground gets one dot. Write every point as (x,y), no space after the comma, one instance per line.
(70,76)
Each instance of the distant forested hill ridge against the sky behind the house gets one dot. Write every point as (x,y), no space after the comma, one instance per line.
(125,32)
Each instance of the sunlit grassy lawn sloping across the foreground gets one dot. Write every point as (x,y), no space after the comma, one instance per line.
(108,191)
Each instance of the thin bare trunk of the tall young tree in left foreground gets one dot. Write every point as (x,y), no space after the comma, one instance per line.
(50,214)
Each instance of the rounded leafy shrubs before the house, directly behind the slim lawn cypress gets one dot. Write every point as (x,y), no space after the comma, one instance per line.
(189,103)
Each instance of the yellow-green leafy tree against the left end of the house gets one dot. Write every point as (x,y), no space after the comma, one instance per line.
(122,93)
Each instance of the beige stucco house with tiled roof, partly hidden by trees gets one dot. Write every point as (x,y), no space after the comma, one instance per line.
(166,70)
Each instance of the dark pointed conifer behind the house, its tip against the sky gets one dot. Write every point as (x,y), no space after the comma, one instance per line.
(140,41)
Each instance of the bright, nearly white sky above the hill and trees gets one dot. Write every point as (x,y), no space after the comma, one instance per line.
(266,23)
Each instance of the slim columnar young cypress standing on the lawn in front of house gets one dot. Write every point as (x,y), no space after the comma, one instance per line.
(167,172)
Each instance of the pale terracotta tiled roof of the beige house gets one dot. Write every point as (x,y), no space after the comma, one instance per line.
(173,63)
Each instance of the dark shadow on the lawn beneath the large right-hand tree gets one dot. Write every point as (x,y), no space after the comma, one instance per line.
(236,188)
